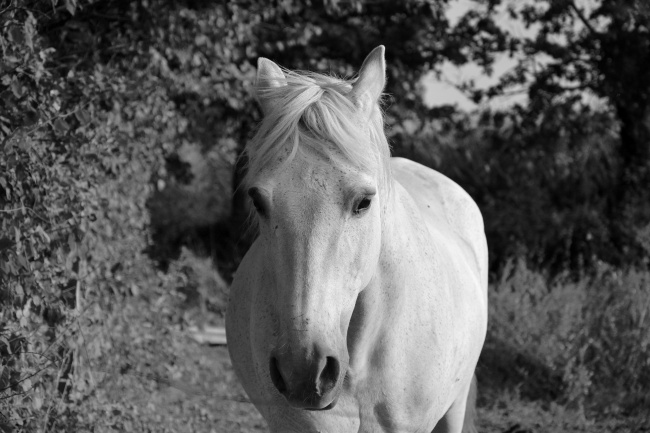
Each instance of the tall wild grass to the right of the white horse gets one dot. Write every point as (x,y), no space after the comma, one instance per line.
(589,340)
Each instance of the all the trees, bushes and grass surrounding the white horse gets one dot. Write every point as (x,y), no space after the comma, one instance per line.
(120,127)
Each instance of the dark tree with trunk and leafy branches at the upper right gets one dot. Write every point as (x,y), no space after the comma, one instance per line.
(600,48)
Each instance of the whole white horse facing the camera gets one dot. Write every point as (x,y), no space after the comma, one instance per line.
(361,305)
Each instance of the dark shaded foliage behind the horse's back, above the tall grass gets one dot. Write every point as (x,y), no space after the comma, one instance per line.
(542,180)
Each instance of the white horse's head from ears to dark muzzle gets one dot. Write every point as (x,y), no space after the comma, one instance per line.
(317,179)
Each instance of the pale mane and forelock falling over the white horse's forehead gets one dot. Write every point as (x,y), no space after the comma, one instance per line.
(307,109)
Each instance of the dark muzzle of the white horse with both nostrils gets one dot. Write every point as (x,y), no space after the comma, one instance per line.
(308,379)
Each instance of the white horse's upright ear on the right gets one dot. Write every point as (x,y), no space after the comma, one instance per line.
(372,79)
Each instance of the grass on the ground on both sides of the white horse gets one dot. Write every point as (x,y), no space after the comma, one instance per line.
(561,356)
